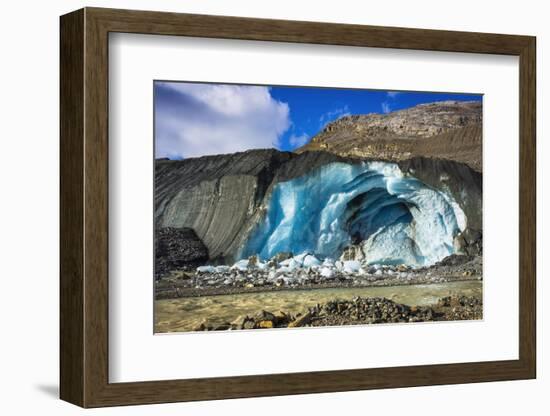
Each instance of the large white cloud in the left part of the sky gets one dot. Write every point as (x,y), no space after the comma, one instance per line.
(203,119)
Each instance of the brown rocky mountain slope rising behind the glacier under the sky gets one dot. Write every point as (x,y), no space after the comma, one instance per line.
(445,130)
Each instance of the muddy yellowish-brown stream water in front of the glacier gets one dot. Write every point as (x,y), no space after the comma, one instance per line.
(184,314)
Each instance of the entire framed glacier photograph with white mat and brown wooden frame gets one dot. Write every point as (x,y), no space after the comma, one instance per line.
(257,207)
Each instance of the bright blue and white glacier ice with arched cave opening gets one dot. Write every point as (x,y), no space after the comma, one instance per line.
(396,218)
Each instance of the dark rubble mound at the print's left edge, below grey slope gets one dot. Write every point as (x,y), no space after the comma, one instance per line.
(177,248)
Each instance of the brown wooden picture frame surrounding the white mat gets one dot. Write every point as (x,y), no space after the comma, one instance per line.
(84,207)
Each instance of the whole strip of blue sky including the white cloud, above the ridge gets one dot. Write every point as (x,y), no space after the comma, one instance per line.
(195,119)
